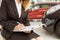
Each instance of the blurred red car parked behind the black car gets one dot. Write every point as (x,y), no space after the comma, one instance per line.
(39,13)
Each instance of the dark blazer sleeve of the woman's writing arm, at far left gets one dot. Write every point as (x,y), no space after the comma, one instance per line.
(5,22)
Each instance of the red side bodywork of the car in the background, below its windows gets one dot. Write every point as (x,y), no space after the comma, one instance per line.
(37,14)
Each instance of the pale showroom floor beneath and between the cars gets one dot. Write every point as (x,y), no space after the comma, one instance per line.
(43,34)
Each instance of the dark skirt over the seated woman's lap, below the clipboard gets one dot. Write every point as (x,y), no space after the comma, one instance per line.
(23,36)
